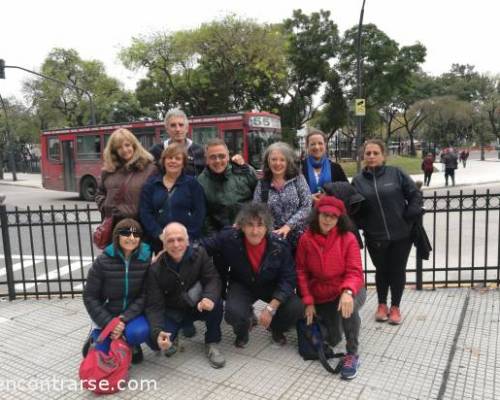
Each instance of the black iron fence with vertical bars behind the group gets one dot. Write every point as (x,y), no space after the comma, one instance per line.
(47,252)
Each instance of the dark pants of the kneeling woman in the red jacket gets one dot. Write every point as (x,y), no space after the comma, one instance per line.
(335,324)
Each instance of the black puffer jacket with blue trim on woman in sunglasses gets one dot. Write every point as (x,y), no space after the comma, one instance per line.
(114,288)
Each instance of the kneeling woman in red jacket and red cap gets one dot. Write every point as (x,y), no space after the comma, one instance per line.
(330,277)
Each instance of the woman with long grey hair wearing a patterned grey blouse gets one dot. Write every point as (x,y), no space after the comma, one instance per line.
(285,191)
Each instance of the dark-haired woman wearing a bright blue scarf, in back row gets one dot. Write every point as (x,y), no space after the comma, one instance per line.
(317,168)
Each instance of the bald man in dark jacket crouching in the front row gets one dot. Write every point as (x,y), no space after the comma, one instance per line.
(182,287)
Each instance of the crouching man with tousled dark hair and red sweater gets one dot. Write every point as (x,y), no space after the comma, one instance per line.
(261,268)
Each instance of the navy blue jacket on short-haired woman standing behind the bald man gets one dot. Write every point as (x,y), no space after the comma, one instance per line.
(185,204)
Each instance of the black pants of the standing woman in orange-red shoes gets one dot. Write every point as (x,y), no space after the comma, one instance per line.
(390,258)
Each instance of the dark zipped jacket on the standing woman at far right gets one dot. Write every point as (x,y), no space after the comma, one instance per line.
(392,203)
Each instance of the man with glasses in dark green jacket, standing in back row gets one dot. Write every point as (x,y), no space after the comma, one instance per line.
(227,185)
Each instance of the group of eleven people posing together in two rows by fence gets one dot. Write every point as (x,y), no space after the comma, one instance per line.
(198,237)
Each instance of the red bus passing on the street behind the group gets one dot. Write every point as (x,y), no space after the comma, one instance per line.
(72,157)
